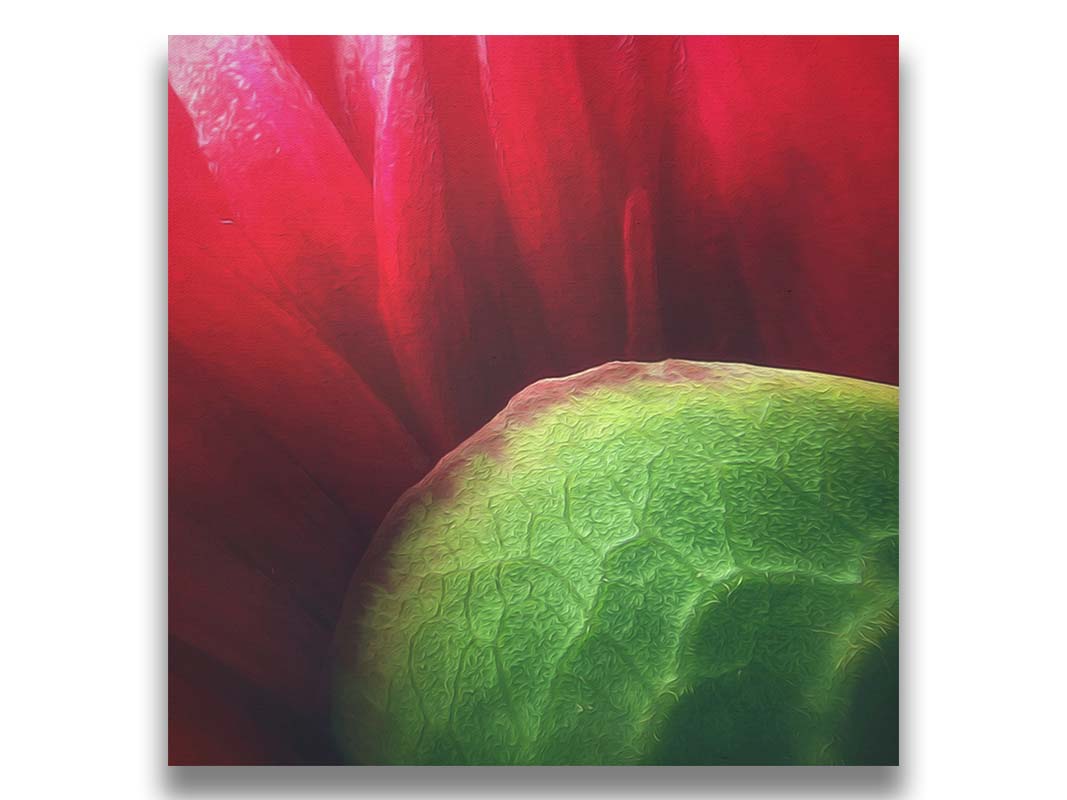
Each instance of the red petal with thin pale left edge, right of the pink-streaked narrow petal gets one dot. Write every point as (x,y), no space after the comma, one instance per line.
(552,179)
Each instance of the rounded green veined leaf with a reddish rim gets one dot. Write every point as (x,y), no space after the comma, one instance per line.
(660,564)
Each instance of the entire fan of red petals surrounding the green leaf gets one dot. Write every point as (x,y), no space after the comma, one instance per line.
(376,242)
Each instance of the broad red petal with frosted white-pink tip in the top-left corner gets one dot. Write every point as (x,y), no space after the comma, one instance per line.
(290,180)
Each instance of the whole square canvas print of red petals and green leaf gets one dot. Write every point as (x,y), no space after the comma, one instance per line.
(533,401)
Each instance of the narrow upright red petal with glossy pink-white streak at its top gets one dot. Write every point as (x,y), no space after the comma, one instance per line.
(423,297)
